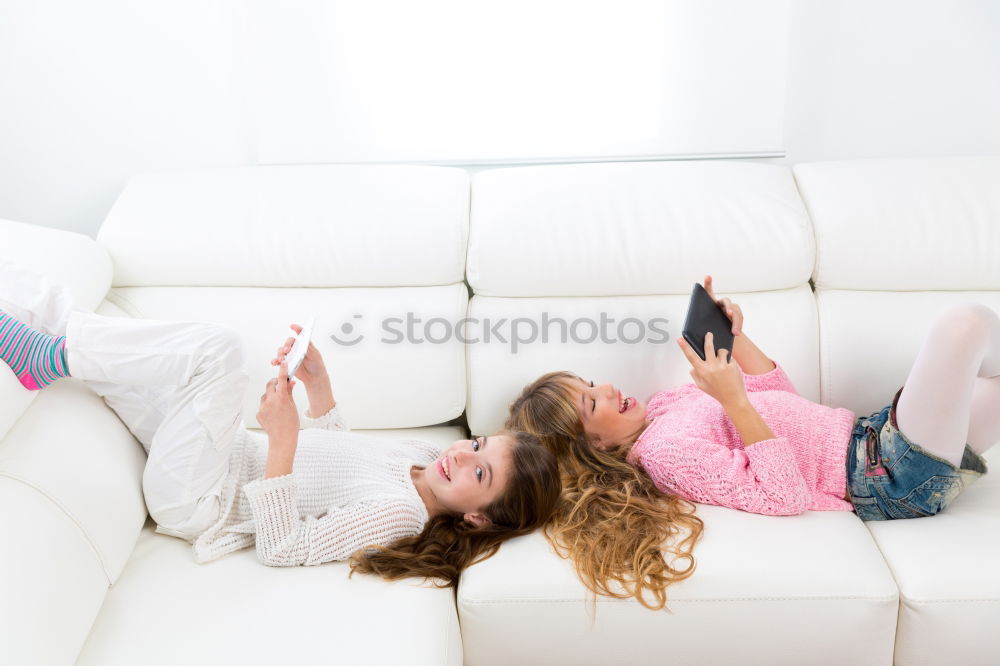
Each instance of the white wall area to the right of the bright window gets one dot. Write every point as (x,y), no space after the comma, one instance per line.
(893,78)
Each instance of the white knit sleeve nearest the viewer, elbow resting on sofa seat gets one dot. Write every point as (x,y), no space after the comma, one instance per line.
(284,539)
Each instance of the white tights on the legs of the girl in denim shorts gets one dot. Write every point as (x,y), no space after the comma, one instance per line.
(952,394)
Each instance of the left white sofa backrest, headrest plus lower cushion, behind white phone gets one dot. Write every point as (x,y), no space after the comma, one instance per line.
(375,253)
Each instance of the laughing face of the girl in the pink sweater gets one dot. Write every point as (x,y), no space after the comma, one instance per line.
(610,419)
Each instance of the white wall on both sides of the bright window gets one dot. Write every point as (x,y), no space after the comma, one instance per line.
(93,92)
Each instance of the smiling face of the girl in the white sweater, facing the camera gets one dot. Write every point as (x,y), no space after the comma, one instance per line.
(470,475)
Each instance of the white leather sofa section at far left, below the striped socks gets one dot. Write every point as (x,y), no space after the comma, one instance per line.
(70,511)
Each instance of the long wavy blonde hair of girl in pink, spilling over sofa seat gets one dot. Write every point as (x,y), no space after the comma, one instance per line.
(624,536)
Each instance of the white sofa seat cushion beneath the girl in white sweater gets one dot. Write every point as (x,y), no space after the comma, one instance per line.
(166,609)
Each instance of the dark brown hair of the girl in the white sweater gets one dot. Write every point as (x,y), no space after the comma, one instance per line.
(448,543)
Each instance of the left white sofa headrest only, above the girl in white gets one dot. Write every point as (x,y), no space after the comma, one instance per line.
(291,226)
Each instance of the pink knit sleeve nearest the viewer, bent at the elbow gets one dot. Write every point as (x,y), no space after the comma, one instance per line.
(762,478)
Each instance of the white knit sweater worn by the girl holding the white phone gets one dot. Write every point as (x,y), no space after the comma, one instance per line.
(347,490)
